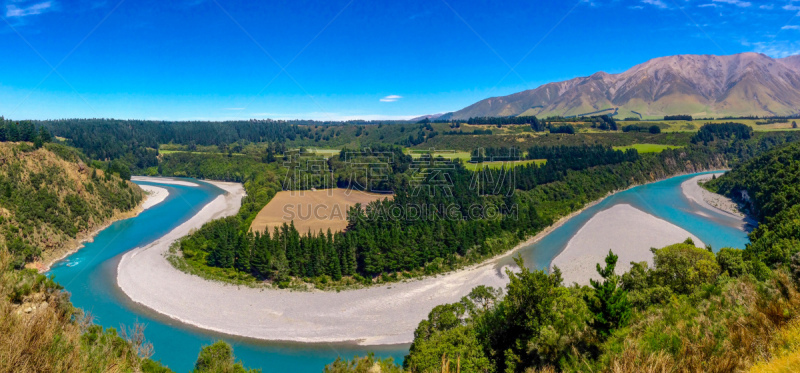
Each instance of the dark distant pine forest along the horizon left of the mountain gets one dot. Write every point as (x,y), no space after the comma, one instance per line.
(136,142)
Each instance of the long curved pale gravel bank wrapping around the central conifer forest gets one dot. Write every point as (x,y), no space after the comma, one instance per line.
(378,315)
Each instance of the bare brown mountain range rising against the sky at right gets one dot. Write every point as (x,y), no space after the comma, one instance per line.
(700,85)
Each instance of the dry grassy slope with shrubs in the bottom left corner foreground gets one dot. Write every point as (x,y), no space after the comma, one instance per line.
(42,332)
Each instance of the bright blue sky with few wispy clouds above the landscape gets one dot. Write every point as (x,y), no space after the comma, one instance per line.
(340,59)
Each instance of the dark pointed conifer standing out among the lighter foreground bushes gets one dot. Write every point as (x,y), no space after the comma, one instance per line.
(609,302)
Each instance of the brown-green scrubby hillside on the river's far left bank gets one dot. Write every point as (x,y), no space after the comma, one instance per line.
(50,198)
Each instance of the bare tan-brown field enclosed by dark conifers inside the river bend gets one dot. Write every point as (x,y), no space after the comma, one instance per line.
(312,210)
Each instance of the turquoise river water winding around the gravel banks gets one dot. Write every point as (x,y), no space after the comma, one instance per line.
(90,274)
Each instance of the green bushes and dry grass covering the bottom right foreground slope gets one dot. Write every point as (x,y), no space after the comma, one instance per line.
(686,317)
